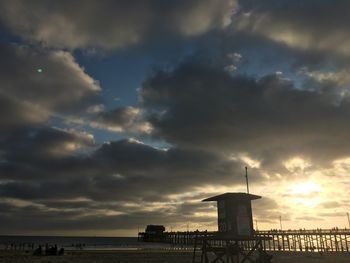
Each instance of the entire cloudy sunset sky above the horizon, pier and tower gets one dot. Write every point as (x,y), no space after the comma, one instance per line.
(118,114)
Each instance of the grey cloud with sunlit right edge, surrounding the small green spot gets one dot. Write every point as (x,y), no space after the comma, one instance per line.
(62,87)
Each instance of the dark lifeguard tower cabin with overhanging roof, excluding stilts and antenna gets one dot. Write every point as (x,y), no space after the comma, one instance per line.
(235,213)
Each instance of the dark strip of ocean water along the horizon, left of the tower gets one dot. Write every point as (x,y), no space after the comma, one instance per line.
(77,243)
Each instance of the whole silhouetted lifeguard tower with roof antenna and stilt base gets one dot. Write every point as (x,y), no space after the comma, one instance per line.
(235,240)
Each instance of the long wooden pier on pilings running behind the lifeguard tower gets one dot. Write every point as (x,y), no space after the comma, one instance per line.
(315,240)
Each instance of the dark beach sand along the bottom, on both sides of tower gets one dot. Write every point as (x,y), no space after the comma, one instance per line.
(156,257)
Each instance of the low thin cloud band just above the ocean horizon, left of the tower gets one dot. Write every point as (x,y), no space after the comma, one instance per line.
(66,219)
